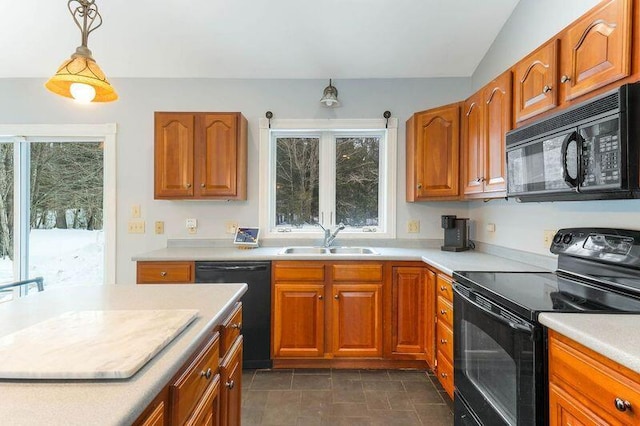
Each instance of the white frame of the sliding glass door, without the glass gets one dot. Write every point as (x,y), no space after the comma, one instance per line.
(69,133)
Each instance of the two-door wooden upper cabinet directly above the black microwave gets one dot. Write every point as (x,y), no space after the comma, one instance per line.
(591,53)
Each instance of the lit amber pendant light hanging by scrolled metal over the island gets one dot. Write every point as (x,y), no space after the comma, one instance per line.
(80,77)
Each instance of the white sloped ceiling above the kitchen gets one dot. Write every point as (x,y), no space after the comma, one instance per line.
(257,38)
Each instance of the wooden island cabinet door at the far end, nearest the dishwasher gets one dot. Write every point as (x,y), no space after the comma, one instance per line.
(231,390)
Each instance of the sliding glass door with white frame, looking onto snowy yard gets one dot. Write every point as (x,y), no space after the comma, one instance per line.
(56,204)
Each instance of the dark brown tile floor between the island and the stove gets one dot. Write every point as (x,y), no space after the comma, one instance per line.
(343,397)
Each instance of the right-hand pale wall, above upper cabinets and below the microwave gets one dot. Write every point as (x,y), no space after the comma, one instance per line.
(522,226)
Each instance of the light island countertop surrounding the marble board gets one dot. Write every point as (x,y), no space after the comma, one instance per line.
(108,401)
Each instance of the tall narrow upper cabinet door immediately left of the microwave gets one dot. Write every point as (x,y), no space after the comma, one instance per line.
(497,122)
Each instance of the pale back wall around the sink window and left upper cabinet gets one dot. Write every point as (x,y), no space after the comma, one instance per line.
(26,101)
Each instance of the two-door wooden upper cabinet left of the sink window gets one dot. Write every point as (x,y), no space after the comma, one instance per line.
(200,156)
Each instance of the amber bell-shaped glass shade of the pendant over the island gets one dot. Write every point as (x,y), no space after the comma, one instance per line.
(81,69)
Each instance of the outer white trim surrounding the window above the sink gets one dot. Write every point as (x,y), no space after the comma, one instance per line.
(389,154)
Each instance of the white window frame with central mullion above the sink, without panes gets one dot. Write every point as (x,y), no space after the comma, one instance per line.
(335,128)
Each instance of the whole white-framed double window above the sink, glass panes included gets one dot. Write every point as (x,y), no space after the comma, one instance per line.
(341,173)
